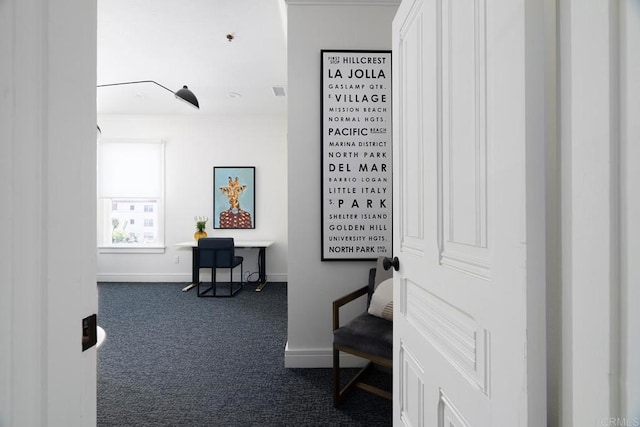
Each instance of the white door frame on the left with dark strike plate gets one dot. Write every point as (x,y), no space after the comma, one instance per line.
(47,188)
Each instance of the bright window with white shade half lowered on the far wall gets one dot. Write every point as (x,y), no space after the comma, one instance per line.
(130,195)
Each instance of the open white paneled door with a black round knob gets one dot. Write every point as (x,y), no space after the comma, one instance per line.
(469,341)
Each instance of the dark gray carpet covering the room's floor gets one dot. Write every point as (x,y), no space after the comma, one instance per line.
(172,359)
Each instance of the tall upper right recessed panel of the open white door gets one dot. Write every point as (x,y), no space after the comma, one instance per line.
(462,174)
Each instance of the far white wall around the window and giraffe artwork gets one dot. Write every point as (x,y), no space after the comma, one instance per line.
(194,145)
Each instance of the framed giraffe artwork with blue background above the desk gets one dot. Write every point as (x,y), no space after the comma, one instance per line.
(234,197)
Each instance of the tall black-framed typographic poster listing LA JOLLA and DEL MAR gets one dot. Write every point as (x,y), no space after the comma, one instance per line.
(356,155)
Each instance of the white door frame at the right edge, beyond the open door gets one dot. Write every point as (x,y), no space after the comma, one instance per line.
(599,130)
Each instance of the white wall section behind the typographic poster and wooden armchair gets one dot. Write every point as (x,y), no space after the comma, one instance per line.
(313,284)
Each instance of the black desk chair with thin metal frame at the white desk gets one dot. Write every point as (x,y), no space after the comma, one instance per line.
(214,253)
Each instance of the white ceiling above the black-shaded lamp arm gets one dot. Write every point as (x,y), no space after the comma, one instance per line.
(184,42)
